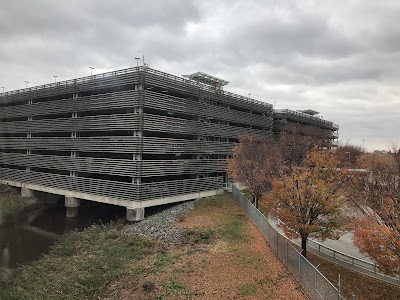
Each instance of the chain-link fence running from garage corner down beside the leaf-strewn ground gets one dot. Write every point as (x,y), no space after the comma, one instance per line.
(314,283)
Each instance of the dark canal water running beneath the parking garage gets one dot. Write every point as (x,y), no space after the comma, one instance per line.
(31,237)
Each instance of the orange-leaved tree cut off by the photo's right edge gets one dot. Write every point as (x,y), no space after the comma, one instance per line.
(378,233)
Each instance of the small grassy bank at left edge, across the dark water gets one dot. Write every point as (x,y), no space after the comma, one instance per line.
(12,205)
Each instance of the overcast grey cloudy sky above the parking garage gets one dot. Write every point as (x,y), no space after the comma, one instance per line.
(340,58)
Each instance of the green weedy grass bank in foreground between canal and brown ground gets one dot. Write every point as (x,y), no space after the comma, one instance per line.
(78,267)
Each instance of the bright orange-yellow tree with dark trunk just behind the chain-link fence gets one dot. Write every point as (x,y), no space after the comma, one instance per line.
(308,200)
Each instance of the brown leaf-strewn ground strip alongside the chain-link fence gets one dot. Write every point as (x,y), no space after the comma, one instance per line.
(225,257)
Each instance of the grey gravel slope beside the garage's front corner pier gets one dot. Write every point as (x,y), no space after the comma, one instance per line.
(162,226)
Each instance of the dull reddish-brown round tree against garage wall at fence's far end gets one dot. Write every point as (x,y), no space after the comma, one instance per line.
(254,163)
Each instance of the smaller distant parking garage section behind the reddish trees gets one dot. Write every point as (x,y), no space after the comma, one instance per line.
(305,123)
